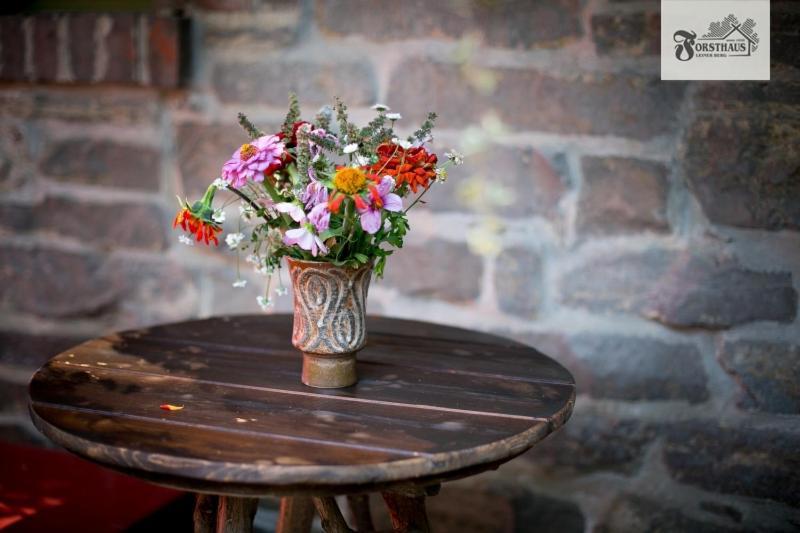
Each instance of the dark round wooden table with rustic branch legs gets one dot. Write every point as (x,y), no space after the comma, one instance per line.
(433,403)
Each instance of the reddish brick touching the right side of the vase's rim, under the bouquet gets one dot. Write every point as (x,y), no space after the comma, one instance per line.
(427,271)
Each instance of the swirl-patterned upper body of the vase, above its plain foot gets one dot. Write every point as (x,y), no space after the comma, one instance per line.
(329,307)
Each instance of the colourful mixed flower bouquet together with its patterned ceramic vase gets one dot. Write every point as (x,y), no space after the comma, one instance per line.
(333,199)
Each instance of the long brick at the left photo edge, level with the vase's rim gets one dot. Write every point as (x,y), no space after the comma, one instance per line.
(114,291)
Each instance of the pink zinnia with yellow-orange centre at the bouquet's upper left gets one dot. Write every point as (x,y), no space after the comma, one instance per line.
(254,160)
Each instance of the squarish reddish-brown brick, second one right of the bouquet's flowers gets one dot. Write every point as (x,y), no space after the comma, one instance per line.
(622,196)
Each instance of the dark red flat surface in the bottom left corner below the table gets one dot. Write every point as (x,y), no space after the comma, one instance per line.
(46,490)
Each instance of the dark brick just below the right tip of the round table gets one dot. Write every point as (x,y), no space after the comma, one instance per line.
(593,442)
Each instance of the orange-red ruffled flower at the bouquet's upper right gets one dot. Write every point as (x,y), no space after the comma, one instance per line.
(414,167)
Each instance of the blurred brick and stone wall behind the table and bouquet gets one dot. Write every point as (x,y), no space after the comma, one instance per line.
(644,233)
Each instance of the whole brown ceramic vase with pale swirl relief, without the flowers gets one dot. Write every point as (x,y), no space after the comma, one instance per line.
(329,320)
